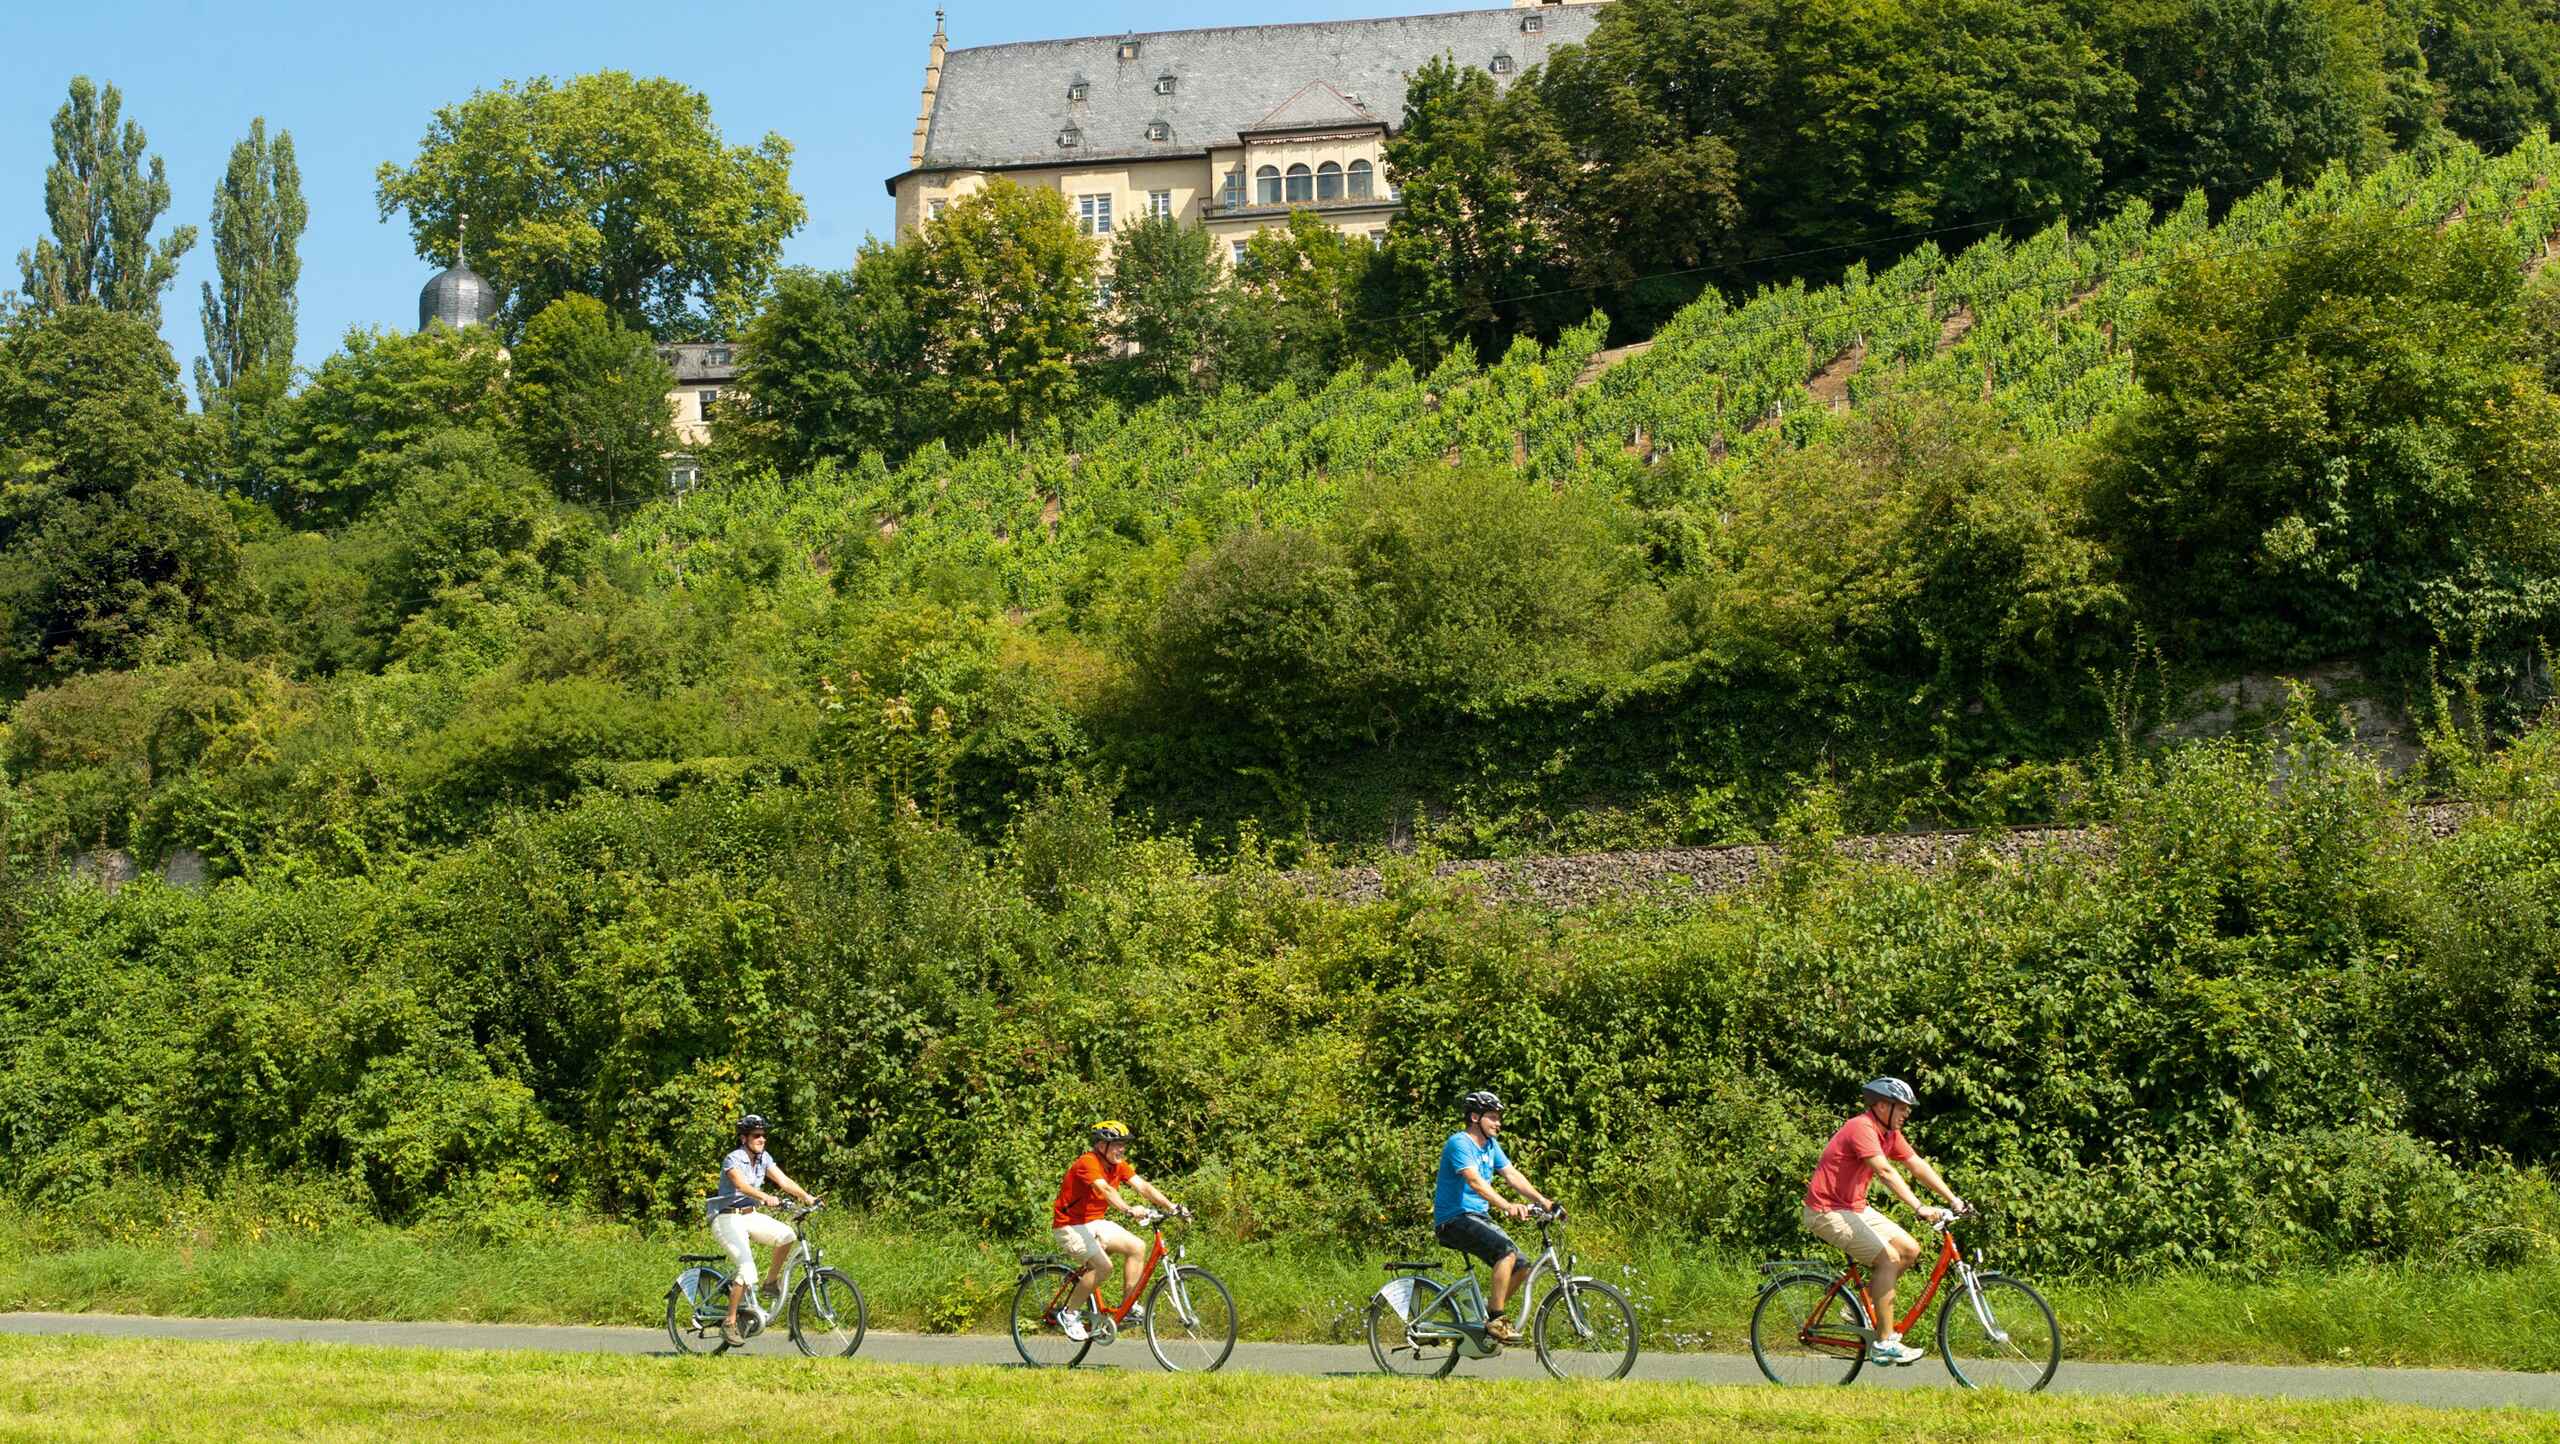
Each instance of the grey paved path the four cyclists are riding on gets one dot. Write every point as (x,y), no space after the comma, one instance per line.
(2472,1389)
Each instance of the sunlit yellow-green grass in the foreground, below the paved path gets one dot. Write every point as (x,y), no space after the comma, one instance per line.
(132,1389)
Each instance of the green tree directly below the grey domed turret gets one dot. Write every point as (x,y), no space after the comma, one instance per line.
(383,393)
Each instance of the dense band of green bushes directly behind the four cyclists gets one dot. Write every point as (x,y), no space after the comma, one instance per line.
(2272,1025)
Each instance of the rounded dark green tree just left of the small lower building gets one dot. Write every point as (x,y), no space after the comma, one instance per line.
(590,406)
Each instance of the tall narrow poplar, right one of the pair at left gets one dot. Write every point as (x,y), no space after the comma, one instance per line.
(257,229)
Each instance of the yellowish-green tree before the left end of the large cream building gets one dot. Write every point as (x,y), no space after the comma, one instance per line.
(1005,301)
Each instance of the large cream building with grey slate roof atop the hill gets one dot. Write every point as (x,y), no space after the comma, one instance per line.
(1233,127)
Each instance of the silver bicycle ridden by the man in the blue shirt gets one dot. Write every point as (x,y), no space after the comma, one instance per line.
(1425,1322)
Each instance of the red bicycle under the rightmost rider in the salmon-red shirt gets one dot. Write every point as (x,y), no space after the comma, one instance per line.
(1993,1333)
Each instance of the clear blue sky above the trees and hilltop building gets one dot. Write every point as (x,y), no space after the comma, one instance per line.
(360,81)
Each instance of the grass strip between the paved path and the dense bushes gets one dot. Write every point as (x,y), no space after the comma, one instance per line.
(593,1274)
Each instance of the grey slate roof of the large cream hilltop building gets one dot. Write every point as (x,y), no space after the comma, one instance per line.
(1005,106)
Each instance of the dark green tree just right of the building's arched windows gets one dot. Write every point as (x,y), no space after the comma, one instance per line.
(1468,252)
